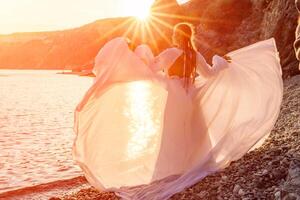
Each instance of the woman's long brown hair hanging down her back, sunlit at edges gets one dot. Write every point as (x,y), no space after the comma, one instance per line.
(183,37)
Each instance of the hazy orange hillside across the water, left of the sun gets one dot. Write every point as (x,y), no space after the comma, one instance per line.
(69,49)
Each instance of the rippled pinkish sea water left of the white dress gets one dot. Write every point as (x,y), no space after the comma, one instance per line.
(36,126)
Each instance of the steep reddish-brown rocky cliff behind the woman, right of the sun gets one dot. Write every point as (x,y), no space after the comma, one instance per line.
(226,25)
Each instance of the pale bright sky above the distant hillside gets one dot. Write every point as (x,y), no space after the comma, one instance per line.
(46,15)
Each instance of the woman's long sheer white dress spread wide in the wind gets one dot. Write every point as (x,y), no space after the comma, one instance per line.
(136,126)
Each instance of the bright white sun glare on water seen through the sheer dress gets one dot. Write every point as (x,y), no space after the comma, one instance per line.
(145,118)
